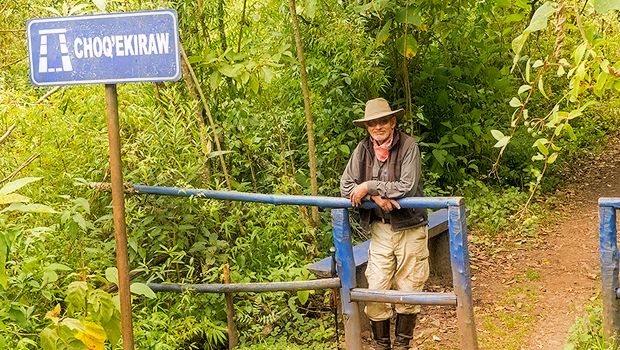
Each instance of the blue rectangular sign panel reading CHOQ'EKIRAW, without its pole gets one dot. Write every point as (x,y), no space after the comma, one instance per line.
(104,49)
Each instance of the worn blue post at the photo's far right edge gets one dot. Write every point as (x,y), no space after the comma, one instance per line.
(609,270)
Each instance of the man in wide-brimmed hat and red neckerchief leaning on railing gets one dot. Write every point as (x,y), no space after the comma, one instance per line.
(386,166)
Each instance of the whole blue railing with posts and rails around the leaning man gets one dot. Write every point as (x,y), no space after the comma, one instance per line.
(341,231)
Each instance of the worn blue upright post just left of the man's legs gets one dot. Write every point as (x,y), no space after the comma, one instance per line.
(346,271)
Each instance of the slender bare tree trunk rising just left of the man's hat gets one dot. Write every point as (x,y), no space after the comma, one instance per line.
(307,111)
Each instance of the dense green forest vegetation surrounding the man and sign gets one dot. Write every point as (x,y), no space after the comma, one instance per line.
(447,64)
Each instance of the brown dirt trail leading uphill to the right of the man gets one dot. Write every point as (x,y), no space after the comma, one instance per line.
(544,285)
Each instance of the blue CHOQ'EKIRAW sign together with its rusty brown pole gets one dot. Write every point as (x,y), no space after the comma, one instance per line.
(108,49)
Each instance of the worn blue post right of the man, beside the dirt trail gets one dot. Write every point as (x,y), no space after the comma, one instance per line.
(461,275)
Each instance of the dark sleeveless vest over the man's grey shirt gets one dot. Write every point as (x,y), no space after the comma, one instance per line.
(401,219)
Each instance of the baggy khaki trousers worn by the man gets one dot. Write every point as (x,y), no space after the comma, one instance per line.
(396,260)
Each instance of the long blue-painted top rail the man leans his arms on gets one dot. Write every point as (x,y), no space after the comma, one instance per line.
(280,199)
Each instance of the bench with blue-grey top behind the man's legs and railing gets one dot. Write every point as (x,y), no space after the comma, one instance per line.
(439,258)
